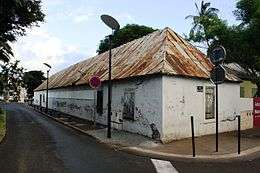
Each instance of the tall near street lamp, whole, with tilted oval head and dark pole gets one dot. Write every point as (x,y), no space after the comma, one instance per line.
(114,25)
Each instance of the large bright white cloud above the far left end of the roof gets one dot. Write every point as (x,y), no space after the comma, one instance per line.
(38,47)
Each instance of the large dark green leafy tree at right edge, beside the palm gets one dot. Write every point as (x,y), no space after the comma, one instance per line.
(244,47)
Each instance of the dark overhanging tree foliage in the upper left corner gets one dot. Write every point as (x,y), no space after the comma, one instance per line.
(15,17)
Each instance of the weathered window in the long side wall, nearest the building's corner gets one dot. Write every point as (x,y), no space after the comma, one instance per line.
(129,104)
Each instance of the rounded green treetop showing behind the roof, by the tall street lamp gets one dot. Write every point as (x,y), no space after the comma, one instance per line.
(124,35)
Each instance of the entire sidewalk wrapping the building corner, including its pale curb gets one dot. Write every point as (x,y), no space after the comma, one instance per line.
(141,145)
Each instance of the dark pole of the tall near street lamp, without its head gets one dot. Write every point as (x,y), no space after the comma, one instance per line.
(109,92)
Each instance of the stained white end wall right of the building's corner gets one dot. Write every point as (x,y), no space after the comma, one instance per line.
(181,100)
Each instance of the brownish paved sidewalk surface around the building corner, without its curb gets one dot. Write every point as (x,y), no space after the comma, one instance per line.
(205,145)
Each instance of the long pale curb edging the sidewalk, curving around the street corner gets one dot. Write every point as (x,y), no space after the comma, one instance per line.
(162,155)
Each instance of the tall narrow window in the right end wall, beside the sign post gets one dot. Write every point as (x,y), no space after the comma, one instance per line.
(209,102)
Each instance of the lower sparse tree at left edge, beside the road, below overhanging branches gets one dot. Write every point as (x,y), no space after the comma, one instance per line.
(12,82)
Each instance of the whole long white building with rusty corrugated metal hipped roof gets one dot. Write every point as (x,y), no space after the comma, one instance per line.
(159,81)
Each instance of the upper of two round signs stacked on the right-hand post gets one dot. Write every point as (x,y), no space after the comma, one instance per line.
(218,55)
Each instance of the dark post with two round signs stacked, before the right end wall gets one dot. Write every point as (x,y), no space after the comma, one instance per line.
(217,75)
